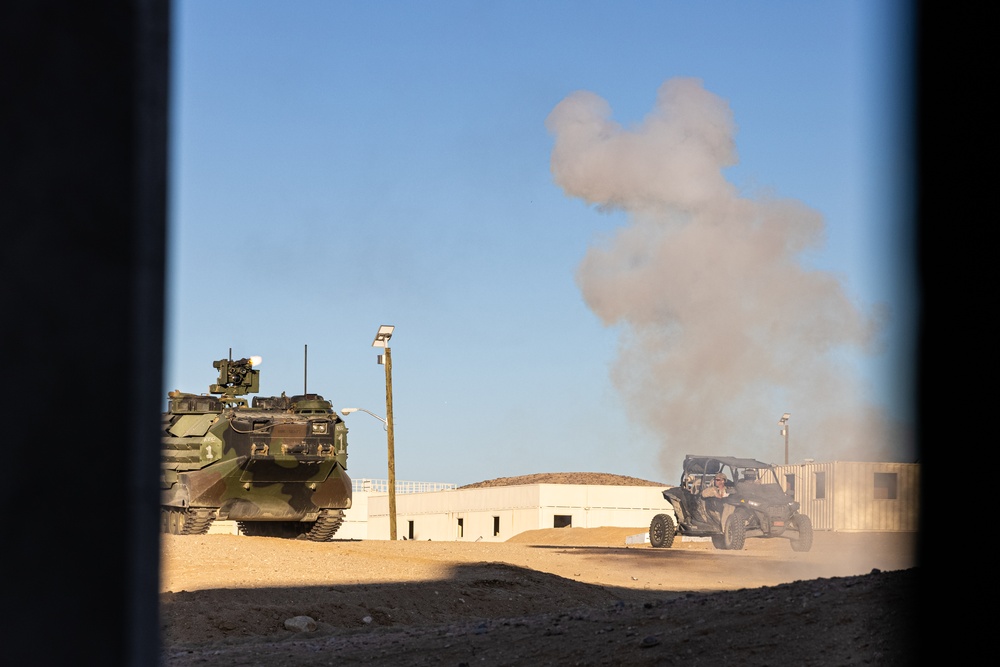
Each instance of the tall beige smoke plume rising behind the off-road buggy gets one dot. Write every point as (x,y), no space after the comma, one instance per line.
(723,327)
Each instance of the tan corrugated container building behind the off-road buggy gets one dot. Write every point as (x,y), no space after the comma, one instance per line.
(856,496)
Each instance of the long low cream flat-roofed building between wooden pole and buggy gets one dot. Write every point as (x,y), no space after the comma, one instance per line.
(495,514)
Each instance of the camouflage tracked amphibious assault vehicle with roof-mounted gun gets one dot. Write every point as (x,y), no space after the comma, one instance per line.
(278,467)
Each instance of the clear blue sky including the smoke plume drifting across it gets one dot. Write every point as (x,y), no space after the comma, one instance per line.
(336,166)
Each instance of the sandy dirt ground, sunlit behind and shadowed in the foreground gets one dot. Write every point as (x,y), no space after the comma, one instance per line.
(568,596)
